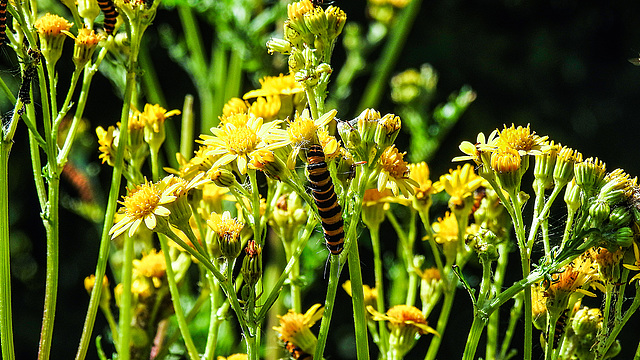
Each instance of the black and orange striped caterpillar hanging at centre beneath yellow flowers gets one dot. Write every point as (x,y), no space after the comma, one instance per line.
(326,200)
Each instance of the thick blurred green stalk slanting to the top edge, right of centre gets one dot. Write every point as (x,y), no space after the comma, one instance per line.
(389,57)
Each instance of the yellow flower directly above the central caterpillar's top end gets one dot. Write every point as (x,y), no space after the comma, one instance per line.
(303,132)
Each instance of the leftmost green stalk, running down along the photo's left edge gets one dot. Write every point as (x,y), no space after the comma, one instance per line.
(6,320)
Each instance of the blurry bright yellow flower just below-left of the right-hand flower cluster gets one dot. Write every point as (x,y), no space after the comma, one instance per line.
(460,185)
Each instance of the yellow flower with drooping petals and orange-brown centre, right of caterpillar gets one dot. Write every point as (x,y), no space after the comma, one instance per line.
(394,172)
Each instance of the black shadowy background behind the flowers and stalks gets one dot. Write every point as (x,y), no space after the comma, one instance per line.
(560,66)
